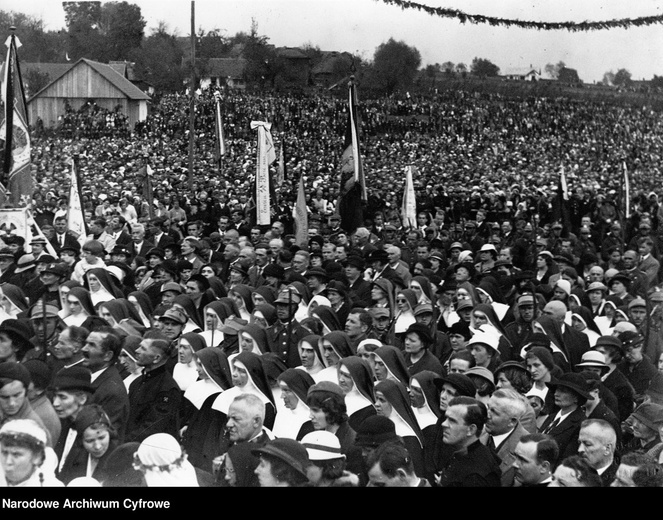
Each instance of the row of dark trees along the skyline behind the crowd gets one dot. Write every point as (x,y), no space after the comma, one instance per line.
(115,31)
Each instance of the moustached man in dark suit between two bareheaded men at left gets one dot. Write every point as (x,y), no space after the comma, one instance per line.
(100,352)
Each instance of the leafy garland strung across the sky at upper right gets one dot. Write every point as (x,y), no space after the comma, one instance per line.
(542,26)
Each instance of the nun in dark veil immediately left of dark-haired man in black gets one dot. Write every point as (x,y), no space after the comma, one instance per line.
(425,401)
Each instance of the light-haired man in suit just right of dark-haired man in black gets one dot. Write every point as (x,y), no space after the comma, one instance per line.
(503,429)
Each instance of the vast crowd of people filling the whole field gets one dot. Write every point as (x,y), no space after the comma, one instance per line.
(508,338)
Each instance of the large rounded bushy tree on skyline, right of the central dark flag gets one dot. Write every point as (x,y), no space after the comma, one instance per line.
(395,65)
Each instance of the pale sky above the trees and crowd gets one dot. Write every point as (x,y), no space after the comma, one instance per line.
(359,26)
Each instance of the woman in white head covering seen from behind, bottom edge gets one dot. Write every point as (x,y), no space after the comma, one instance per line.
(163,462)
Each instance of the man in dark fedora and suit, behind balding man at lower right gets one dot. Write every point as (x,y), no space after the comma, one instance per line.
(563,425)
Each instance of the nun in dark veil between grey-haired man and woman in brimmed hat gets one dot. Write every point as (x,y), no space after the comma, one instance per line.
(294,422)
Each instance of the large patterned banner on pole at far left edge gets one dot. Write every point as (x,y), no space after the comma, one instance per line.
(16,183)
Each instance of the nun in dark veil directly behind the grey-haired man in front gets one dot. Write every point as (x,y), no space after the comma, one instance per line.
(249,377)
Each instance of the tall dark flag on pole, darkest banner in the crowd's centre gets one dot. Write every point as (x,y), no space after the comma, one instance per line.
(353,185)
